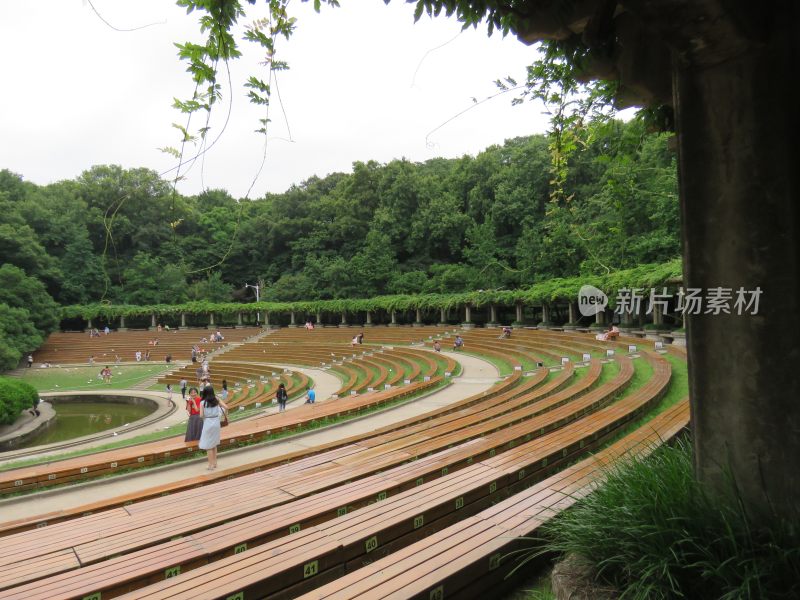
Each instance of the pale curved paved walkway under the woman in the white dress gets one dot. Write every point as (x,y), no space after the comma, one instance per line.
(477,376)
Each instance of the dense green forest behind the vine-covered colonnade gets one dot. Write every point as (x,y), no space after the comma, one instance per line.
(445,225)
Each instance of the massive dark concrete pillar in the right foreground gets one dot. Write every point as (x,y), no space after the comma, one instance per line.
(738,177)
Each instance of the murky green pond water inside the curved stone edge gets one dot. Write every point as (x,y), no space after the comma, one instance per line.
(78,418)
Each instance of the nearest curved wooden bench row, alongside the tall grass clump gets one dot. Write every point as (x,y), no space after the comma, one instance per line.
(467,559)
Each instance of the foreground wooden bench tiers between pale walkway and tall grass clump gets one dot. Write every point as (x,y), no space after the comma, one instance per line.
(290,528)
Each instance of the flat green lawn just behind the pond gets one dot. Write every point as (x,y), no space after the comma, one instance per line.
(59,379)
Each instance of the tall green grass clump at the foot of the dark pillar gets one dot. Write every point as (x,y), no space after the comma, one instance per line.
(654,532)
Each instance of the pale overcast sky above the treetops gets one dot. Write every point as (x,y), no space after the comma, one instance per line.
(365,82)
